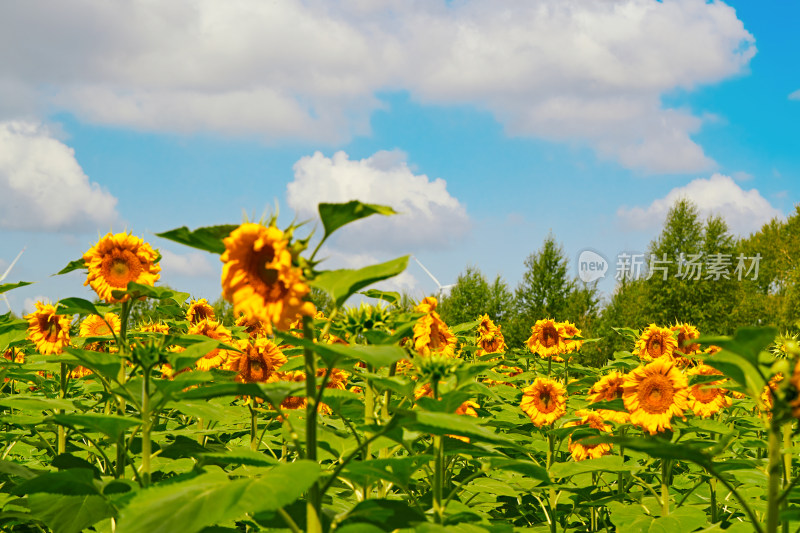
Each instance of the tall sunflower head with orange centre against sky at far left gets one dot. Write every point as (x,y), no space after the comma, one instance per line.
(117,260)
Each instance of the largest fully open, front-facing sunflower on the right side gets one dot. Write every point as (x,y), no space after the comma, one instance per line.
(654,393)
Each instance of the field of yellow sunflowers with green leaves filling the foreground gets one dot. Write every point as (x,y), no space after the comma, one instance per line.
(374,417)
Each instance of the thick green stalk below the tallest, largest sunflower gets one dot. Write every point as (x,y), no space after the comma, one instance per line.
(313,503)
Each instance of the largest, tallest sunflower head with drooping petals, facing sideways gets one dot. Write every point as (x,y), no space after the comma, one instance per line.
(259,279)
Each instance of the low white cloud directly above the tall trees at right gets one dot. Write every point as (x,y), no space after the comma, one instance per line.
(744,211)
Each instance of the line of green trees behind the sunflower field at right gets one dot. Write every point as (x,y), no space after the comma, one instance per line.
(694,271)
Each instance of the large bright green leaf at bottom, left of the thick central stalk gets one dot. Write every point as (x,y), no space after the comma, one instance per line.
(209,499)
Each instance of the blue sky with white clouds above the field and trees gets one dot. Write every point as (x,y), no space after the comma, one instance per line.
(488,124)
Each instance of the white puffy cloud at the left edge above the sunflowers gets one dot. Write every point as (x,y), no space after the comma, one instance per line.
(43,187)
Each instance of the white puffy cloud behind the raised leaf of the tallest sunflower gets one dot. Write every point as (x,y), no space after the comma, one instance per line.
(429,215)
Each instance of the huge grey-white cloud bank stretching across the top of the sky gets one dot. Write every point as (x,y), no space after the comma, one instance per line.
(565,70)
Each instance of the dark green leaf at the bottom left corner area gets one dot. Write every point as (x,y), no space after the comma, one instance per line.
(69,514)
